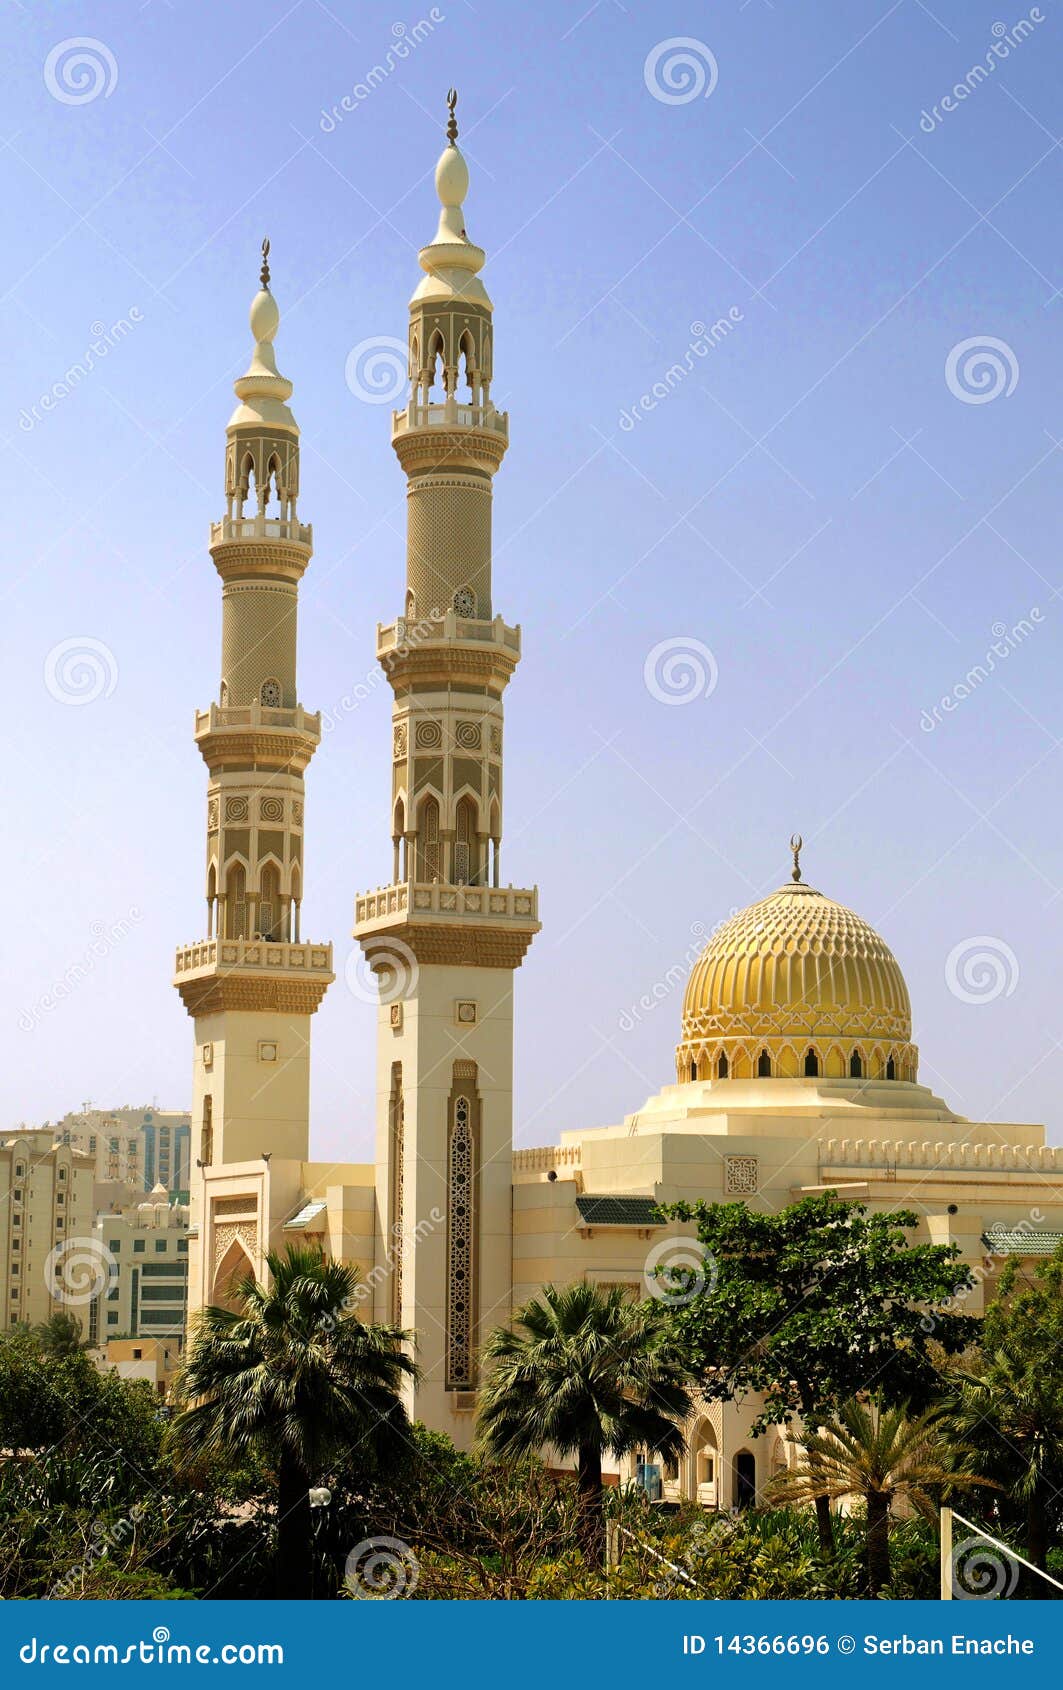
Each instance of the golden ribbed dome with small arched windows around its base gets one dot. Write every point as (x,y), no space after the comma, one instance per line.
(797,986)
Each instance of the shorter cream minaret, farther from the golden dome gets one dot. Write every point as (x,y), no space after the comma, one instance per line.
(253,984)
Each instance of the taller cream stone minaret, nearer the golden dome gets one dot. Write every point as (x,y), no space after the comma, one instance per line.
(445,937)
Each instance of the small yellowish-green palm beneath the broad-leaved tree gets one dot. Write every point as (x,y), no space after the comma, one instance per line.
(881,1456)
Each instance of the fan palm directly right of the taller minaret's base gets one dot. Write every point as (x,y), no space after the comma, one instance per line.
(587,1371)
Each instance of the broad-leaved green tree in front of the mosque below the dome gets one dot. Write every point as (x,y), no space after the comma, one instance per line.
(819,1304)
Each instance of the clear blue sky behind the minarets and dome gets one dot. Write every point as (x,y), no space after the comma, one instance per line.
(814,503)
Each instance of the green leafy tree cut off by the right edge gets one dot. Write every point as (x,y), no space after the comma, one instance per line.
(1011,1402)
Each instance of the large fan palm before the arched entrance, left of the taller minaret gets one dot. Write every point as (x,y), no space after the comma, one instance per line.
(297,1377)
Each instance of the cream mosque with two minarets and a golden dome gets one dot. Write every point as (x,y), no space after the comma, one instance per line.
(795,1064)
